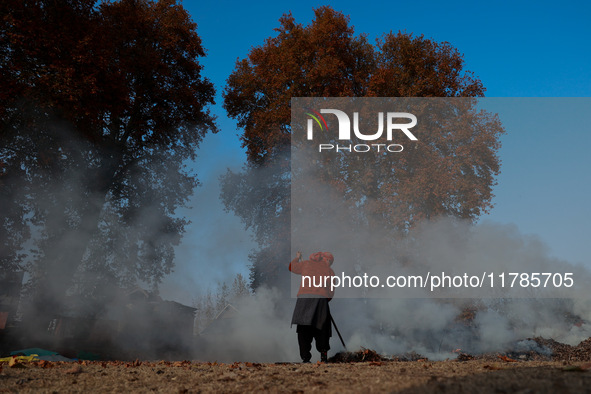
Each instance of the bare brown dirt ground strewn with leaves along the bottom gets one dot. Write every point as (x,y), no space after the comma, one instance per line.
(473,376)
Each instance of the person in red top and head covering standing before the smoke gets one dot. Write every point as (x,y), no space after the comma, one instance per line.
(312,313)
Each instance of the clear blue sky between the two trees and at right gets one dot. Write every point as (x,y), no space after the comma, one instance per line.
(517,49)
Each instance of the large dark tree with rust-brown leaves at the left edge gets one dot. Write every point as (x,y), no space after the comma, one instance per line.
(101,105)
